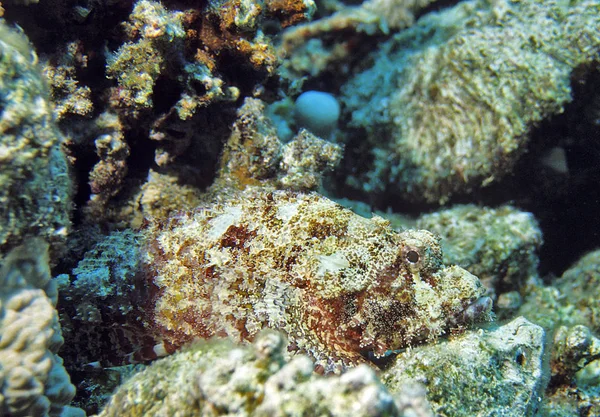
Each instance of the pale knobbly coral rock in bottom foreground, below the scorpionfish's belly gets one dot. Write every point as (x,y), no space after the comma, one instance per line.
(219,379)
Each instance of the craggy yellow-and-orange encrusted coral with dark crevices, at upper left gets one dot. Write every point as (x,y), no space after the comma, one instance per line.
(167,83)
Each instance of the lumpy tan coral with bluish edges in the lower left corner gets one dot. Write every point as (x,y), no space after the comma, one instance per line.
(33,379)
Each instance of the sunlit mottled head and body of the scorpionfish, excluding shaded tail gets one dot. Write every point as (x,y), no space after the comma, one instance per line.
(339,285)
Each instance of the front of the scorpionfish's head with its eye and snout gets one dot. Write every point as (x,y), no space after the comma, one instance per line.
(415,298)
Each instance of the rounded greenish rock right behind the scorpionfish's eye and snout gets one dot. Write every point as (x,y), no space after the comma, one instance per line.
(499,245)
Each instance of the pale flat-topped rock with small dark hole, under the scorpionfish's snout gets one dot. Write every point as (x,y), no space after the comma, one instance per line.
(492,372)
